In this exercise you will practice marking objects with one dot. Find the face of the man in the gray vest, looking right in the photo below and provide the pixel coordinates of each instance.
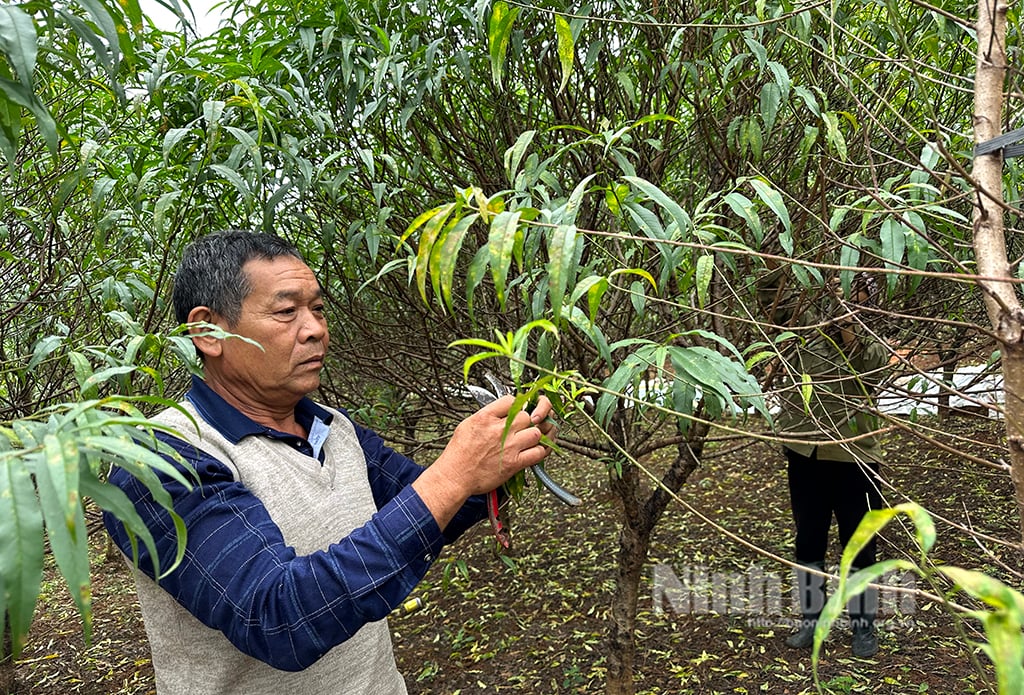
(284, 313)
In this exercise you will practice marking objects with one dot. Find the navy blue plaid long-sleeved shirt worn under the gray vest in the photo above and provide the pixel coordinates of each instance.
(331, 594)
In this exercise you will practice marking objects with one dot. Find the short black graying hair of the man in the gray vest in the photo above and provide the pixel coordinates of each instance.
(210, 273)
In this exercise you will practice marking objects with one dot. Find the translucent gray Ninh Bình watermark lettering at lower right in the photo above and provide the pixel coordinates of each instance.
(764, 598)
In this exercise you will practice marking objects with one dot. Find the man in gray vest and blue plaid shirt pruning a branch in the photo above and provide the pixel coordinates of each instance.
(305, 531)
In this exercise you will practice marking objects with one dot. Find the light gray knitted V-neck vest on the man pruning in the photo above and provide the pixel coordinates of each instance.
(315, 506)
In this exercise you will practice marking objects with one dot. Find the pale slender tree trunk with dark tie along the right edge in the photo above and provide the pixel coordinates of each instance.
(997, 284)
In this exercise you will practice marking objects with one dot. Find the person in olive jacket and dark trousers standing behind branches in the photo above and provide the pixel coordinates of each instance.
(833, 457)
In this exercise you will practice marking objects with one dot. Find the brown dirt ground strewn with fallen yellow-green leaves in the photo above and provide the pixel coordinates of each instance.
(536, 621)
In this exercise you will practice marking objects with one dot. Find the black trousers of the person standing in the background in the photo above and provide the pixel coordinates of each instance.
(820, 490)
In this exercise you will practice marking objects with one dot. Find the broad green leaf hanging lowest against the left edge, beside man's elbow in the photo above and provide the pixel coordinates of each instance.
(21, 548)
